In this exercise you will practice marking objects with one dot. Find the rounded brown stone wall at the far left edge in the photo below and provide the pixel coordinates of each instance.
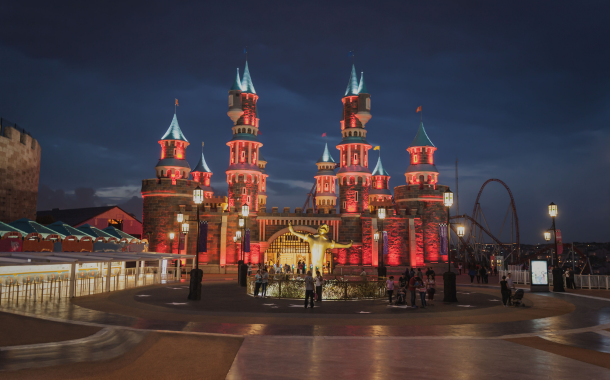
(19, 174)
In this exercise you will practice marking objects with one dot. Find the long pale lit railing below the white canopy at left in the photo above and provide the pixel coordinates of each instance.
(39, 289)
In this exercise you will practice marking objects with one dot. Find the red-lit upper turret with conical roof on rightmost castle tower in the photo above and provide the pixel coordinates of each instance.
(422, 170)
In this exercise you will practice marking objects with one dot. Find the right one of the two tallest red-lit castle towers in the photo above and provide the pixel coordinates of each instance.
(354, 174)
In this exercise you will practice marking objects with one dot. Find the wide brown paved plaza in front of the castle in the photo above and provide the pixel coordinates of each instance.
(155, 332)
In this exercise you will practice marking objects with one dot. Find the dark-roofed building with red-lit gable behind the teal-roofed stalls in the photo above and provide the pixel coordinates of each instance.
(99, 217)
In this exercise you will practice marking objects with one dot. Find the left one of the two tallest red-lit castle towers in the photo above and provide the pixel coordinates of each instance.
(244, 175)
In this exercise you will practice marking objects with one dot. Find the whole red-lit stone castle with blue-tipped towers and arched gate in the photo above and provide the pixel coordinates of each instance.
(413, 214)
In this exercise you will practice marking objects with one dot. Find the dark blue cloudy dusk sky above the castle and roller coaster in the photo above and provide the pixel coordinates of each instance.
(518, 91)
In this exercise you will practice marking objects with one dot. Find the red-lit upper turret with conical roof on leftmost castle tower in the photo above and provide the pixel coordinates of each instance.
(173, 148)
